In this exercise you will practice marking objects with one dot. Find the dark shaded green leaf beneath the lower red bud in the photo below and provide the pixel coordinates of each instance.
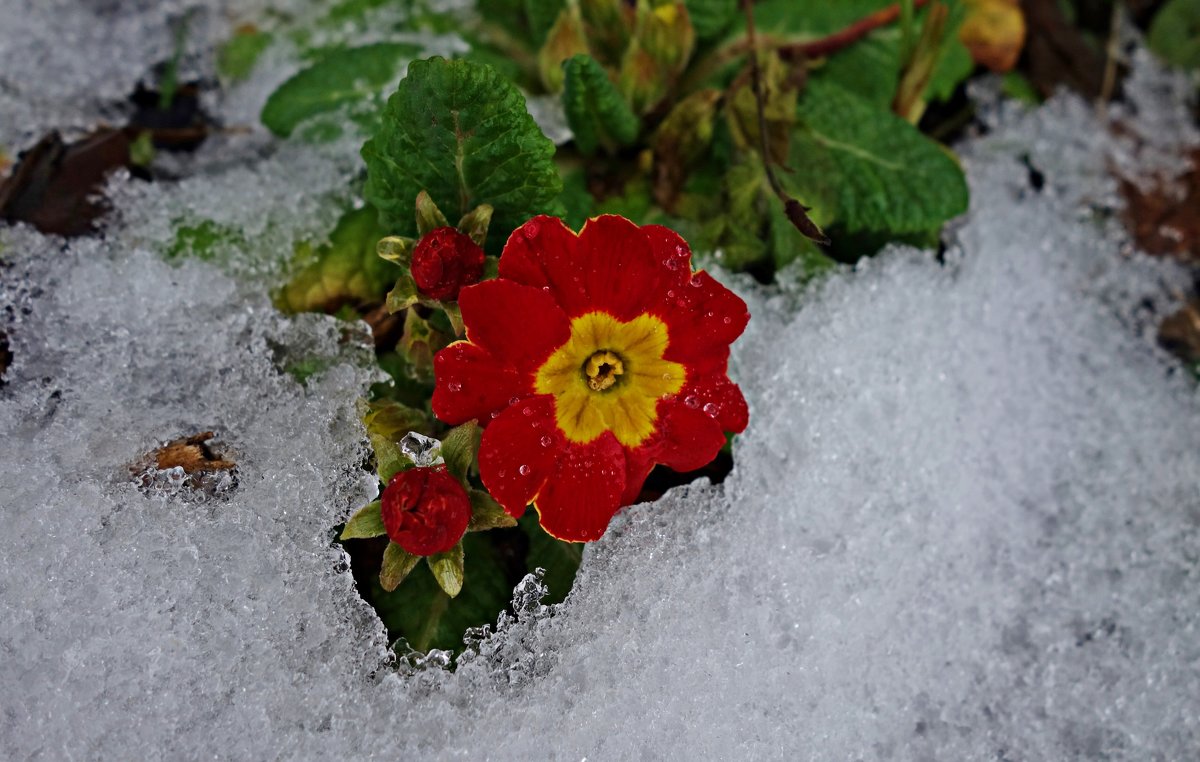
(421, 613)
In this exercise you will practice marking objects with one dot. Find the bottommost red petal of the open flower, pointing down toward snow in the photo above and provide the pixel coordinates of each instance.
(585, 493)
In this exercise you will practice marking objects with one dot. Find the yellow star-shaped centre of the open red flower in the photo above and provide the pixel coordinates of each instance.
(610, 376)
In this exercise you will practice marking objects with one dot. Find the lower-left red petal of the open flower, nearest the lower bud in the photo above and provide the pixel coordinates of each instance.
(519, 452)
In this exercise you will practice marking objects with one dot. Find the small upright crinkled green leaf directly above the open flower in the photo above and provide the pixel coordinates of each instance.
(596, 111)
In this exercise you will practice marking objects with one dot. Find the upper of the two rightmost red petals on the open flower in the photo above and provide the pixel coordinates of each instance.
(704, 319)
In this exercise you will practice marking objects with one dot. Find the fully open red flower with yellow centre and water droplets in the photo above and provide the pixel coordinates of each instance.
(592, 358)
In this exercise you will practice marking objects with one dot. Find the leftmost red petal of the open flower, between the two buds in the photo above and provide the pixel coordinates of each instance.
(471, 383)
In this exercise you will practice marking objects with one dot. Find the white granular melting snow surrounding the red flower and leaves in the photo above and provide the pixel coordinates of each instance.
(964, 523)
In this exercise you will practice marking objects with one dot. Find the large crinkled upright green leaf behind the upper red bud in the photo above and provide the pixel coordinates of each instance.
(460, 131)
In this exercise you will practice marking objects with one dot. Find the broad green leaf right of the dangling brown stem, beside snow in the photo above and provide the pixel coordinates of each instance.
(868, 170)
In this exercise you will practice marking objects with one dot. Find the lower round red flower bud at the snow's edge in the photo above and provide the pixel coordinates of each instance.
(425, 511)
